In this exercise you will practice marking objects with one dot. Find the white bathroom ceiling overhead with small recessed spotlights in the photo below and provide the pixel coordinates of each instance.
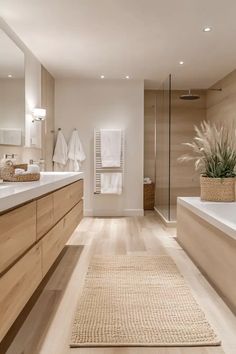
(141, 38)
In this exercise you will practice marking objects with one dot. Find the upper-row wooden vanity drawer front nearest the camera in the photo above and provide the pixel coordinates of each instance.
(17, 233)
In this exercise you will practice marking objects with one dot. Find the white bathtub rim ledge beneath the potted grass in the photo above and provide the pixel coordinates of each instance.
(220, 215)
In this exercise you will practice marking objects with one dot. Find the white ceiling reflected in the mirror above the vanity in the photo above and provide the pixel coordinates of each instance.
(11, 58)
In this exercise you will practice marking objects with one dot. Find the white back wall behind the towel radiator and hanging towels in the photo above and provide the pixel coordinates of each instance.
(90, 104)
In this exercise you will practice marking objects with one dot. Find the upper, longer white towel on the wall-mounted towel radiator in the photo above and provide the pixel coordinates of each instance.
(110, 147)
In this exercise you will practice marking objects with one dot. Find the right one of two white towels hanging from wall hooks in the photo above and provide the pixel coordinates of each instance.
(75, 152)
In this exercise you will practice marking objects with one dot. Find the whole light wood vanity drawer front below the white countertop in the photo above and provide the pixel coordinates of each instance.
(31, 238)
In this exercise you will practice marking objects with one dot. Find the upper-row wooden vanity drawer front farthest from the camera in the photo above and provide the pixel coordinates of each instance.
(64, 199)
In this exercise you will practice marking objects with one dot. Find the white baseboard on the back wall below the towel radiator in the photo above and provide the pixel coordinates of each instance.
(115, 213)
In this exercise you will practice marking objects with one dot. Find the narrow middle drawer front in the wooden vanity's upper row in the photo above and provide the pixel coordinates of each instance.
(44, 215)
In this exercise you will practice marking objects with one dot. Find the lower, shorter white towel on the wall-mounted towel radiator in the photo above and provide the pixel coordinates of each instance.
(111, 183)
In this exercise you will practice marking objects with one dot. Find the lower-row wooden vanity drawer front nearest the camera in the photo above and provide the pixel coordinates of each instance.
(17, 286)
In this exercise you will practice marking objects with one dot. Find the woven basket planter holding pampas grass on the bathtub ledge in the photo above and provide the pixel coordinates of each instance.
(217, 189)
